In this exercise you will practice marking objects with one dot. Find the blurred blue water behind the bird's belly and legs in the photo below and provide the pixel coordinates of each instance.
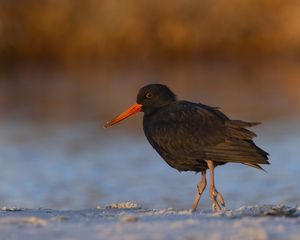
(83, 165)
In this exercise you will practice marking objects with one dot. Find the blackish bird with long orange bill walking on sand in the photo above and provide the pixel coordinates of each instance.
(194, 137)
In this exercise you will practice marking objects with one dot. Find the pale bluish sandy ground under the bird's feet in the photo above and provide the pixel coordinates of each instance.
(129, 221)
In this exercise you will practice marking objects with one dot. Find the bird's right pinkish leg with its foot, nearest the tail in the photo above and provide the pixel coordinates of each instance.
(214, 195)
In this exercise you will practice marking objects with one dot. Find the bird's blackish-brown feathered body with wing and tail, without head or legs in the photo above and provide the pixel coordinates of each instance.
(185, 134)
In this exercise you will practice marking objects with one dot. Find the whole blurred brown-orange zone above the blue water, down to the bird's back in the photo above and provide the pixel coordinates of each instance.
(75, 59)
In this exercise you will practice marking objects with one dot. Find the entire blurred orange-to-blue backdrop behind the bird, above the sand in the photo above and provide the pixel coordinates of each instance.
(66, 67)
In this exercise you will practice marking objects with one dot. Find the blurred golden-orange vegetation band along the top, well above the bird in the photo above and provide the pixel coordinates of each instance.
(111, 30)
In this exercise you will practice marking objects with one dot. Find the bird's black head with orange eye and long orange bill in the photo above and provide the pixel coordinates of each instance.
(149, 98)
